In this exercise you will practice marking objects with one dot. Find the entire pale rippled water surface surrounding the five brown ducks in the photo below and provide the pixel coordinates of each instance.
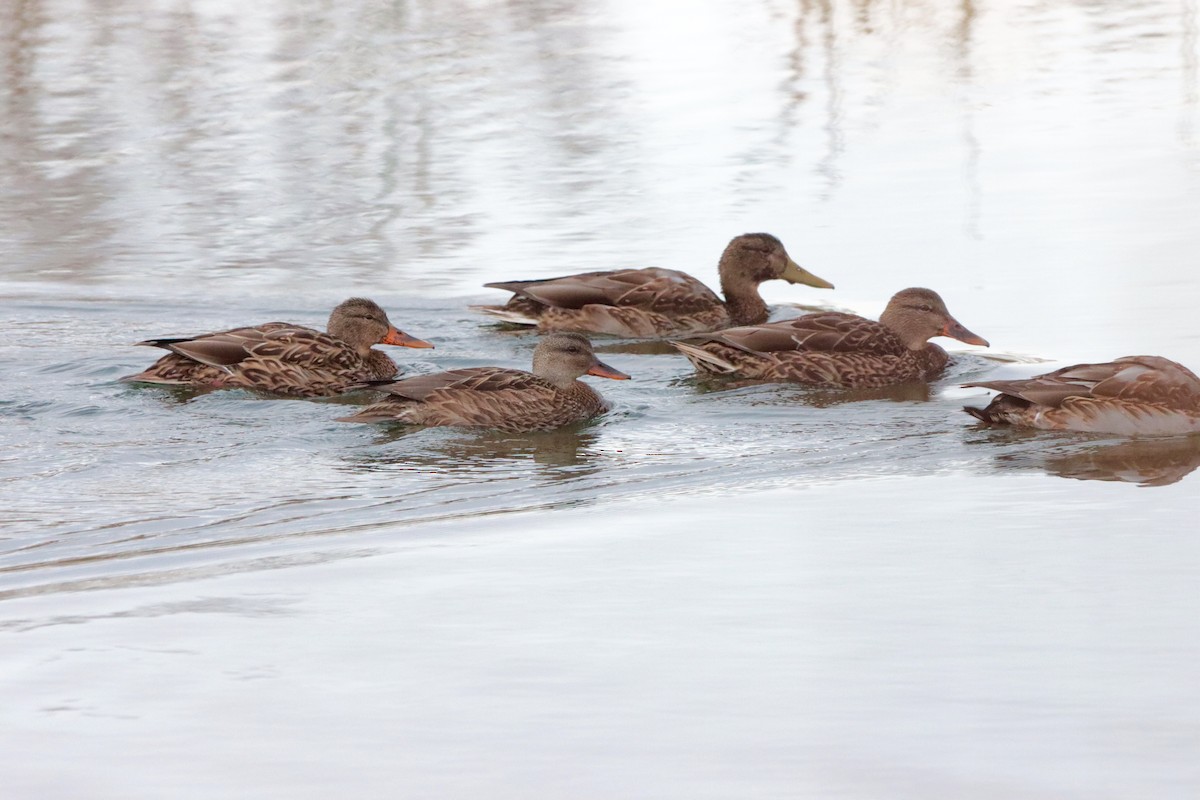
(712, 592)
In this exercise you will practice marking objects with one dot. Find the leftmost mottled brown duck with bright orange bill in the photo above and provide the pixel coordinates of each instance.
(283, 358)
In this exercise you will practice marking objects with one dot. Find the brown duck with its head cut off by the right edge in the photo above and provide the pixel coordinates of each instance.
(1135, 396)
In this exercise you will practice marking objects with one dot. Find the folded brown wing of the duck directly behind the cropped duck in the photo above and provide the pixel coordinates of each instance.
(824, 333)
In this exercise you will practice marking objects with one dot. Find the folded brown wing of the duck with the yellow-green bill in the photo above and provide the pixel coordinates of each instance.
(651, 288)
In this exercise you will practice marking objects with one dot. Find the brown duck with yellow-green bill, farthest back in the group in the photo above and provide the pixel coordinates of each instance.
(655, 303)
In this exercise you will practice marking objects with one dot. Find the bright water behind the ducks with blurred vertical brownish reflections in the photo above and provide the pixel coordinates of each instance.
(1034, 160)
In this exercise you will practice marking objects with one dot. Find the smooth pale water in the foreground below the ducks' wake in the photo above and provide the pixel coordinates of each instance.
(899, 649)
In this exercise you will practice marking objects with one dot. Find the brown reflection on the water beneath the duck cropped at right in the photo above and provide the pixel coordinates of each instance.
(1145, 462)
